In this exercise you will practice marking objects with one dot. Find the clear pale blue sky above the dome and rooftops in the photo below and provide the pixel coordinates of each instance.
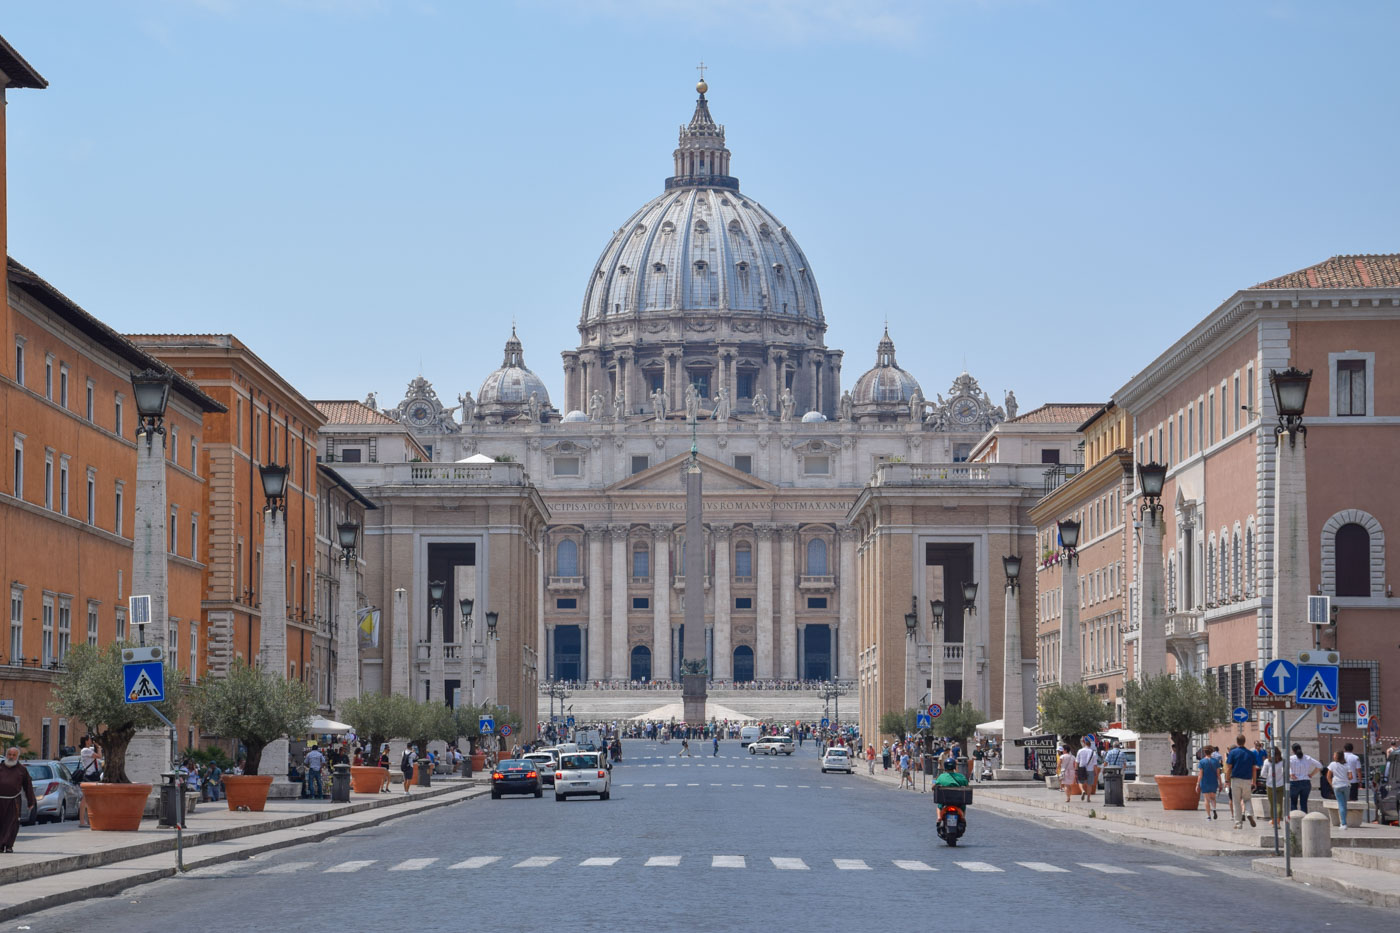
(360, 190)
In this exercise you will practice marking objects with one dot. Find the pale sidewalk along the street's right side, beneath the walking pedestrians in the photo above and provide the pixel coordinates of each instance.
(1366, 862)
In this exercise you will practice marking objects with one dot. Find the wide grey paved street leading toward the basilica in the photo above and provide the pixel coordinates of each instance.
(719, 844)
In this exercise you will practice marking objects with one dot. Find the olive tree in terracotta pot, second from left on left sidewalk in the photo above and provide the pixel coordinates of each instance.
(257, 708)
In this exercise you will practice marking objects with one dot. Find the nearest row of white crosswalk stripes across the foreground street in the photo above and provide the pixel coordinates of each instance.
(780, 864)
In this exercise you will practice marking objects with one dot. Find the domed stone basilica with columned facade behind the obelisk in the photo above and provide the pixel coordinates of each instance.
(702, 326)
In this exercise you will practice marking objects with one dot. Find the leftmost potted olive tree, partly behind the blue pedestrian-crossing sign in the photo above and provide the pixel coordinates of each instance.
(92, 691)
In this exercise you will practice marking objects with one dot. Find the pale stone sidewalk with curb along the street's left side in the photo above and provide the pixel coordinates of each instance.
(50, 869)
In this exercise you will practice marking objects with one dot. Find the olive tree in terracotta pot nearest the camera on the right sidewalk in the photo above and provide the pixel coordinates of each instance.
(1179, 707)
